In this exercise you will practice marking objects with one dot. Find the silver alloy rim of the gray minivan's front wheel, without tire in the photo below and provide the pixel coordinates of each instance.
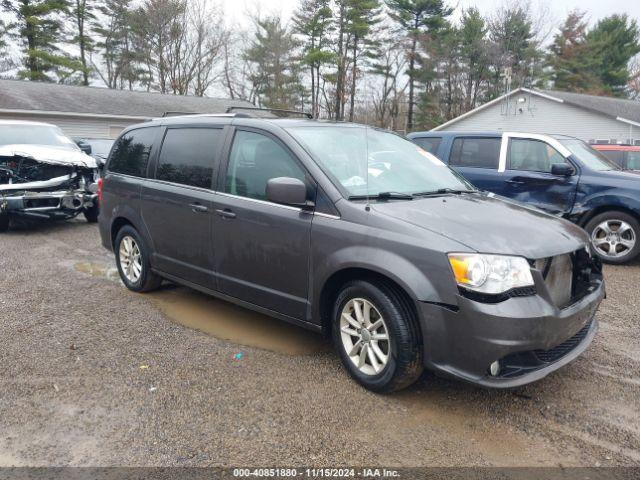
(365, 336)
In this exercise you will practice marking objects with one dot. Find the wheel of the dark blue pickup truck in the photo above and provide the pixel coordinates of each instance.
(615, 236)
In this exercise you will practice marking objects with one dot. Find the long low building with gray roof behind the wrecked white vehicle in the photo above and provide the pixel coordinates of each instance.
(92, 112)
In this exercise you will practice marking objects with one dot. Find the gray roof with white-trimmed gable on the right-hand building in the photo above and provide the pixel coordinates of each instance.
(627, 111)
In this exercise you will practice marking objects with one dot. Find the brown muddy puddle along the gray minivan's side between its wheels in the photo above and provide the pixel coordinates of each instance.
(235, 324)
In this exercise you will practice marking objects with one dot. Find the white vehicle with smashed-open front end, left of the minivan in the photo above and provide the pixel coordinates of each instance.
(44, 174)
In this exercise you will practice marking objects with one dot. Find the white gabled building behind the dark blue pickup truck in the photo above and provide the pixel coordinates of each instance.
(588, 117)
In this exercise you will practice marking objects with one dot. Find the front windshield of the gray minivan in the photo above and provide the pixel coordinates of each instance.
(376, 163)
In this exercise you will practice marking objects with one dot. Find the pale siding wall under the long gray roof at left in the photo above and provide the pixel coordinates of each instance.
(76, 127)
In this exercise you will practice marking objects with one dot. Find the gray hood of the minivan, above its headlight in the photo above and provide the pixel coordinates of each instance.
(489, 225)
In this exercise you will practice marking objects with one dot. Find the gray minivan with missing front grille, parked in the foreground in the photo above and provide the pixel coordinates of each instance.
(355, 232)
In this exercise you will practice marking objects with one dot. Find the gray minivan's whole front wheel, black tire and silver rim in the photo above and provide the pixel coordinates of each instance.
(377, 336)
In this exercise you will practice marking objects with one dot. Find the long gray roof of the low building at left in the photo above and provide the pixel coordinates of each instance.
(19, 95)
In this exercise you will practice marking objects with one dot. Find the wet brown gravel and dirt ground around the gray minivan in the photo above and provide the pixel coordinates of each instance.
(94, 375)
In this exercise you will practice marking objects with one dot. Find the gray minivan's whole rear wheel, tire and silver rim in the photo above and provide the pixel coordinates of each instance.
(132, 259)
